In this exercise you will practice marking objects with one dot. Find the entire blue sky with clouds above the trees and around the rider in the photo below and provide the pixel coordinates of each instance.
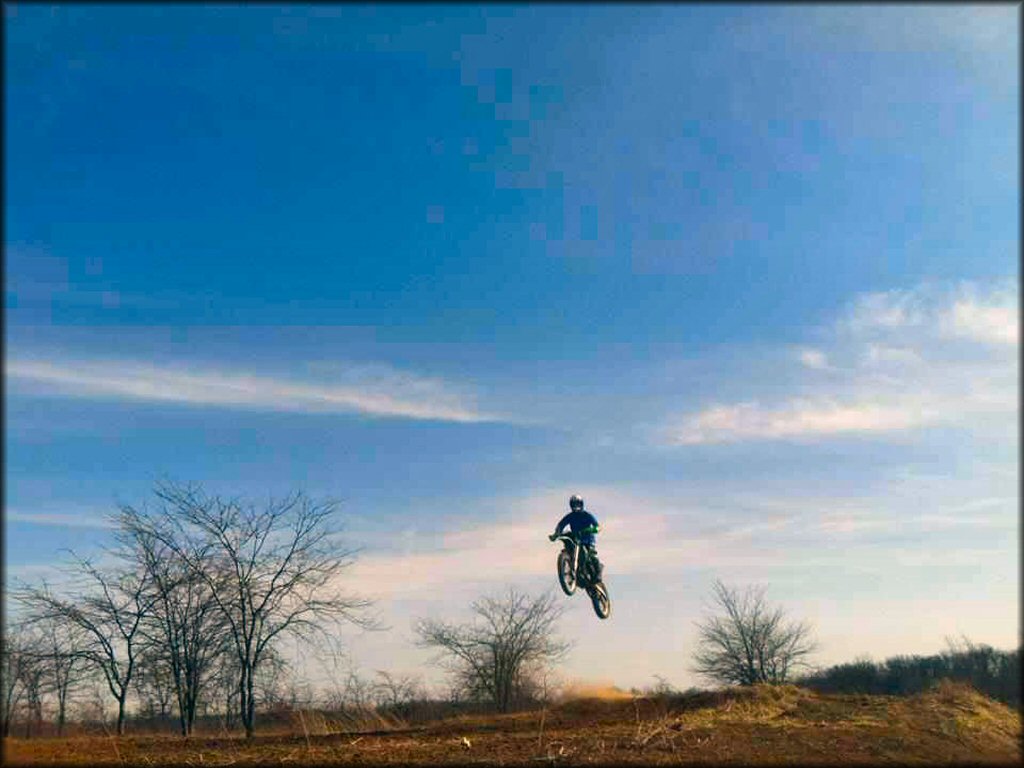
(746, 278)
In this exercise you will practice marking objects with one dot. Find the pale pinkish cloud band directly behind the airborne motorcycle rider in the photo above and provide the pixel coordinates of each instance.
(662, 535)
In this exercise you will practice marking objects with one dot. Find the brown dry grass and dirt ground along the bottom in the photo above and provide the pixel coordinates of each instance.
(950, 724)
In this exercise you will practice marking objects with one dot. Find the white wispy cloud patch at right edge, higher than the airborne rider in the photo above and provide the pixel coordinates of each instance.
(894, 361)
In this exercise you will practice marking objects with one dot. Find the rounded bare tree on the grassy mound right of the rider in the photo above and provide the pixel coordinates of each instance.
(751, 643)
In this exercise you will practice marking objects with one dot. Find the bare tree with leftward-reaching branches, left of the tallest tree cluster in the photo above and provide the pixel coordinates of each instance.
(108, 613)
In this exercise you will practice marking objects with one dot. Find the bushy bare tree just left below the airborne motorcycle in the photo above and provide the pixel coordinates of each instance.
(492, 657)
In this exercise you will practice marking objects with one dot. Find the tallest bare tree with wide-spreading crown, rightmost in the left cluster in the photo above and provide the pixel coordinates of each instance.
(271, 571)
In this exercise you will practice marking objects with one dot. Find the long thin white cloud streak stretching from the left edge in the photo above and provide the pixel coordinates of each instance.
(387, 394)
